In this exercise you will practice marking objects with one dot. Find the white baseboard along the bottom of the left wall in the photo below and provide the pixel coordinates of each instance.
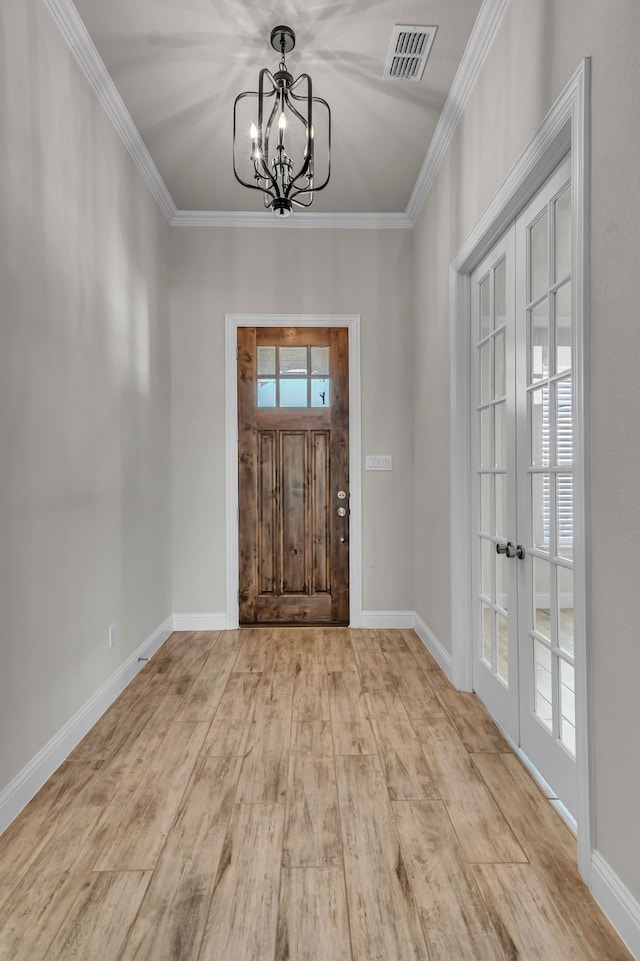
(17, 794)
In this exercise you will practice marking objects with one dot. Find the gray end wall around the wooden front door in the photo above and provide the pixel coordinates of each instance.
(288, 270)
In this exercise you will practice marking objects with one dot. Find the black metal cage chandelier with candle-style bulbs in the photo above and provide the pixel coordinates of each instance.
(275, 151)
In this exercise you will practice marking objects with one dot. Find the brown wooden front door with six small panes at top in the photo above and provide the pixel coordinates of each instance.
(293, 475)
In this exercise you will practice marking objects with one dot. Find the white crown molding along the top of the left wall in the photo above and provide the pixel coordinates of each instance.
(84, 50)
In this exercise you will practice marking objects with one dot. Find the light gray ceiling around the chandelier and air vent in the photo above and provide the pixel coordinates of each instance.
(179, 64)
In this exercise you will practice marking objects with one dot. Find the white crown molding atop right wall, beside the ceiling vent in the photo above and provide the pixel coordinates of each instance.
(484, 30)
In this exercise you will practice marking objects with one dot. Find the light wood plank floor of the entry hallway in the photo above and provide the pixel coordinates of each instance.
(294, 795)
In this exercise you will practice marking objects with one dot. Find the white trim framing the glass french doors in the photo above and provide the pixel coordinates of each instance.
(566, 127)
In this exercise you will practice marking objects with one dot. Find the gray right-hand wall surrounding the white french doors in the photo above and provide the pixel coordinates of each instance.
(536, 51)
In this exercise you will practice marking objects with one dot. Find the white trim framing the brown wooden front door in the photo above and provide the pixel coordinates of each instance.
(352, 323)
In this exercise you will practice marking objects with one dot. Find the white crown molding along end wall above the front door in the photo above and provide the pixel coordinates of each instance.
(243, 218)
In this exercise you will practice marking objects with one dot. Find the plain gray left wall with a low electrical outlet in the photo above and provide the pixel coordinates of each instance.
(84, 392)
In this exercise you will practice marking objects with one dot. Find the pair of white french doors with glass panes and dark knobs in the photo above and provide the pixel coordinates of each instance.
(522, 500)
